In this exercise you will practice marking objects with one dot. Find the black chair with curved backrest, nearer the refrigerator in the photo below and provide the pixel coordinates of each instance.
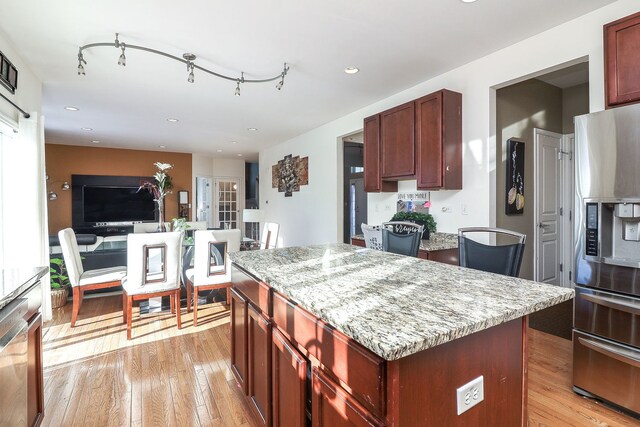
(500, 259)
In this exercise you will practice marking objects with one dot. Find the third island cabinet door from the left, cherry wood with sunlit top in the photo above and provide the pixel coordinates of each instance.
(289, 383)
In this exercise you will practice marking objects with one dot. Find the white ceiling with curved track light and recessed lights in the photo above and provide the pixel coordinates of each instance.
(395, 44)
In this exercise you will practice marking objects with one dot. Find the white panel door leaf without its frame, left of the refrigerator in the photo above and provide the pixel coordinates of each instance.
(547, 204)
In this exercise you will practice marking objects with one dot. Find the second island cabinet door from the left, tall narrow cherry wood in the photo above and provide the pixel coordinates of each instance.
(259, 363)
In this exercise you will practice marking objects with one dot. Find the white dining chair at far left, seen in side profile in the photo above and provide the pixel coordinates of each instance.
(80, 279)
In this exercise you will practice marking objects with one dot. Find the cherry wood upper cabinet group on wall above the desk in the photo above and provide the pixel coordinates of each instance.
(420, 140)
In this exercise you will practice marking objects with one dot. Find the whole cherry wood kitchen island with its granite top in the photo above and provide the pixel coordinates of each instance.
(379, 339)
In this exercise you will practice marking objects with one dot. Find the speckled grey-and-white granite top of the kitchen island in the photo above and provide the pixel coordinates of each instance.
(391, 304)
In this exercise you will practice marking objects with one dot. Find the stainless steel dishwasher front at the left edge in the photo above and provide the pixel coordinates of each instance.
(13, 364)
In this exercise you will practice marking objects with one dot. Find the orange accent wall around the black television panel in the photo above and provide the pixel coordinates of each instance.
(62, 161)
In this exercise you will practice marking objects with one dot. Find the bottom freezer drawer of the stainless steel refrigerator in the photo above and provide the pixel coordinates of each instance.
(607, 369)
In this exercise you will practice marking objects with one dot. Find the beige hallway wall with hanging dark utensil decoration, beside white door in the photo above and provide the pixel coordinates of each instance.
(520, 108)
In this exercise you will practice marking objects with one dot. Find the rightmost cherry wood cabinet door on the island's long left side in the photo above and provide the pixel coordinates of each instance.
(332, 406)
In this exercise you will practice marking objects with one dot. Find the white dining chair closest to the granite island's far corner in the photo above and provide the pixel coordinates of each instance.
(211, 265)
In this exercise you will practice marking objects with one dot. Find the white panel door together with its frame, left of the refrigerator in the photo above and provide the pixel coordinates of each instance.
(553, 199)
